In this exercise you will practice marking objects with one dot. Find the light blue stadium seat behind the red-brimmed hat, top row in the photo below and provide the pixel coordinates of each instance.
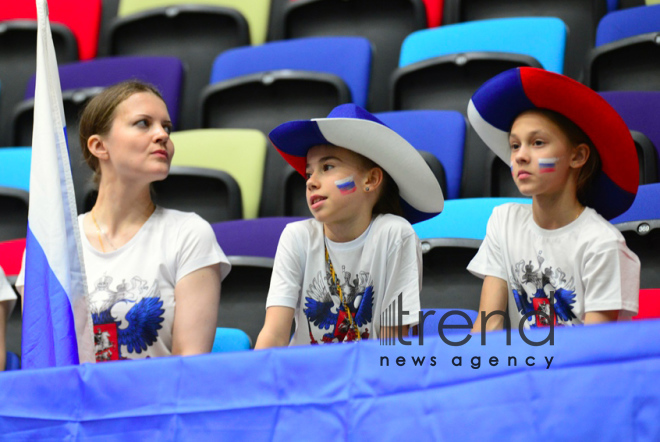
(441, 68)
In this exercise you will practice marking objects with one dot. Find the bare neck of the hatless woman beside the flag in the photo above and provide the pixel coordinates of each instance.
(120, 205)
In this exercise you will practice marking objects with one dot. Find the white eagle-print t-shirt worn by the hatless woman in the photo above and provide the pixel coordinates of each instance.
(131, 289)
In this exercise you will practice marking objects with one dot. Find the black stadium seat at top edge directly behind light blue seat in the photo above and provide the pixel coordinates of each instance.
(580, 16)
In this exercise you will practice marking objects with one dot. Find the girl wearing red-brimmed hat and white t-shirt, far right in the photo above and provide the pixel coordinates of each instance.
(557, 260)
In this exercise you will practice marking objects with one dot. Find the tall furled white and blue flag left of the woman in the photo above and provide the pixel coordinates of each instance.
(56, 320)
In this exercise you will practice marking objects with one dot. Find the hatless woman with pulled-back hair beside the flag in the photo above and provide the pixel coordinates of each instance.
(153, 274)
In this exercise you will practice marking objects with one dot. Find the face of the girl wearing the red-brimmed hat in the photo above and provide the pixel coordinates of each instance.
(542, 156)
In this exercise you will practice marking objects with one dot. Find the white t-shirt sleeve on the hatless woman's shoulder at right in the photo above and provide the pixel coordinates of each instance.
(197, 247)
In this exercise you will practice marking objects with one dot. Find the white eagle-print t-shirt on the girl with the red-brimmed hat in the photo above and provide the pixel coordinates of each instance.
(585, 263)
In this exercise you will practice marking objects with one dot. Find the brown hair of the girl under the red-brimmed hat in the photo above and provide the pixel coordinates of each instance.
(576, 136)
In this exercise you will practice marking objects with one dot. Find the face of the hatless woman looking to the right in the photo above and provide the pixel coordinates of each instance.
(138, 145)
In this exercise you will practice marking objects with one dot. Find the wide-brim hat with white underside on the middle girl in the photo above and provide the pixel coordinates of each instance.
(353, 128)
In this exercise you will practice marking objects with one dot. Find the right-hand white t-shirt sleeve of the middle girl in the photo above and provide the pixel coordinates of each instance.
(404, 276)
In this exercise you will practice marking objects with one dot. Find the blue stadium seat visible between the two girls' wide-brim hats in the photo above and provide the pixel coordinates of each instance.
(441, 133)
